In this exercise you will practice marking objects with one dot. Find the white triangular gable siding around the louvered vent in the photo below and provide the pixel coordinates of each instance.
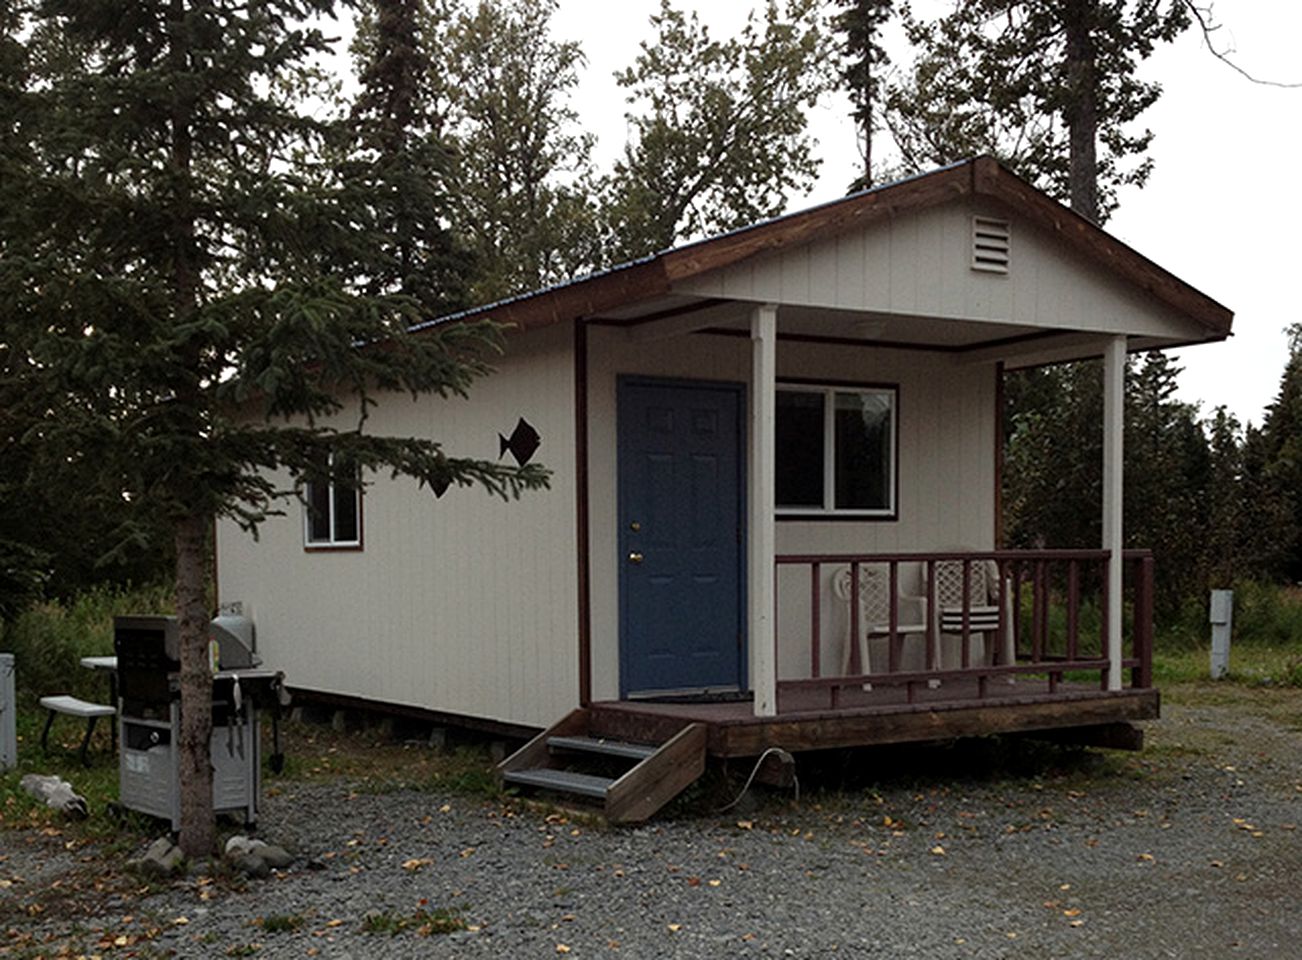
(919, 265)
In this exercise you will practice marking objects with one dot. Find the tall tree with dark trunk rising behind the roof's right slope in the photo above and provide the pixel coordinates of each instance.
(1050, 87)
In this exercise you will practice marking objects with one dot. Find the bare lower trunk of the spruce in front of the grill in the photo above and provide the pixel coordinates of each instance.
(199, 821)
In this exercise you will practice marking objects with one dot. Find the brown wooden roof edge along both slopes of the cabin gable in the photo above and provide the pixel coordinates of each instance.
(659, 287)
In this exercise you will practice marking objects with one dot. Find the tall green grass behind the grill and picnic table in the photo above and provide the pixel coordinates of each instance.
(49, 640)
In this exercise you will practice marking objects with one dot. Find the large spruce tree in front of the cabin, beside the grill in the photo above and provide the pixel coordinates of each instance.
(176, 300)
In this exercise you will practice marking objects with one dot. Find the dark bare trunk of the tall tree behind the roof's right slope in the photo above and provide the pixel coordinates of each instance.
(1083, 110)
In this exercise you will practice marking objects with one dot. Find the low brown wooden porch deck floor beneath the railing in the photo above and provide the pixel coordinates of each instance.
(881, 716)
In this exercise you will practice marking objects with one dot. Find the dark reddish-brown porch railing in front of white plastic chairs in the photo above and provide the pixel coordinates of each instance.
(1051, 605)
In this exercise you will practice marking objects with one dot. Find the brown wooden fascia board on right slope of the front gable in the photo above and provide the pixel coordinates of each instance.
(1077, 233)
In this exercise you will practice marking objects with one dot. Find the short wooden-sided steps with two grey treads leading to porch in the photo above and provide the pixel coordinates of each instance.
(567, 760)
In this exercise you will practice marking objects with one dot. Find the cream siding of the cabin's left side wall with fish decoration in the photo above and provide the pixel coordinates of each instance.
(465, 605)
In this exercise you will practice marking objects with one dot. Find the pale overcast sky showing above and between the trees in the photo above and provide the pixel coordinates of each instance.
(1221, 212)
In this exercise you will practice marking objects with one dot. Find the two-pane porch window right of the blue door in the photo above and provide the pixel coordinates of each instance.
(837, 451)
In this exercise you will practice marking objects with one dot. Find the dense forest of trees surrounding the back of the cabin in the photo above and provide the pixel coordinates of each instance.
(469, 111)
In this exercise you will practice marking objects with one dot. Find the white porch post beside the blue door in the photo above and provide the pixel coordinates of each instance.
(761, 540)
